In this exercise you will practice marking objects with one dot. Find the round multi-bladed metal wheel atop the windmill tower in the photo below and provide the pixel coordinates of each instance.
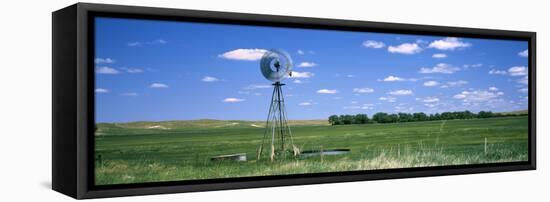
(276, 65)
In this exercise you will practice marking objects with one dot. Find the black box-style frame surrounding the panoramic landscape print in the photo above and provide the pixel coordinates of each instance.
(73, 100)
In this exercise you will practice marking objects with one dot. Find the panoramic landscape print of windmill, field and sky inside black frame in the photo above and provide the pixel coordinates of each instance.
(180, 101)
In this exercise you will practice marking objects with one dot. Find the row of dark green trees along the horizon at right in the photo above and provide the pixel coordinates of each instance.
(382, 117)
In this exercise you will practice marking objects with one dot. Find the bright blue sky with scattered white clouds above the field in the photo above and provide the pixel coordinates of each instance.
(158, 70)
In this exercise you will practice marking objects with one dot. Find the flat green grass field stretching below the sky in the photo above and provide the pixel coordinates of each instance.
(181, 150)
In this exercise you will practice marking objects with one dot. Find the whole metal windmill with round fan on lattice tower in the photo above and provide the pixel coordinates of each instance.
(276, 65)
